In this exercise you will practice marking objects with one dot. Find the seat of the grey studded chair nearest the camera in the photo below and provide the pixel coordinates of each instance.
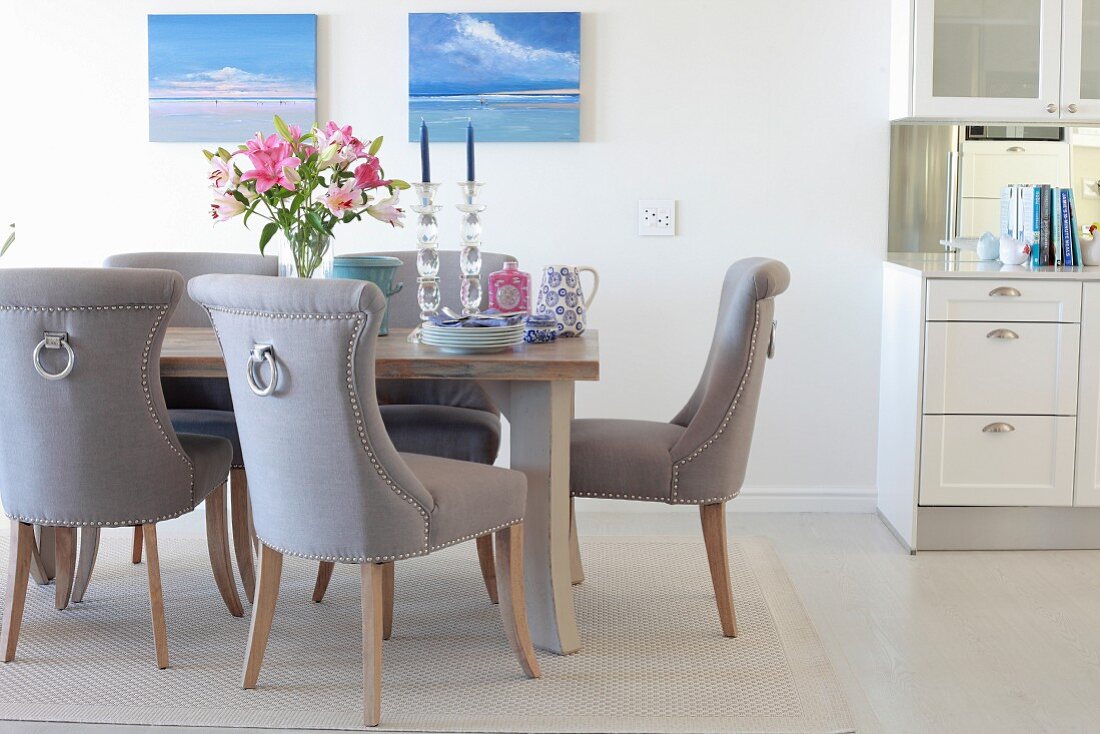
(471, 499)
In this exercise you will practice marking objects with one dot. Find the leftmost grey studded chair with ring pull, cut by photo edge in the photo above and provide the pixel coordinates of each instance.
(85, 439)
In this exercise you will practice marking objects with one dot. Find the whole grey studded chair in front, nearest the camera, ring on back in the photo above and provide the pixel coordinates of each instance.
(326, 481)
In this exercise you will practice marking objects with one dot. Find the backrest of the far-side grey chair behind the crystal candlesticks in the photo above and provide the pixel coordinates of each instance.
(405, 314)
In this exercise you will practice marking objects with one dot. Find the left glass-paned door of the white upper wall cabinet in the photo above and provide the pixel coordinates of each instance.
(987, 59)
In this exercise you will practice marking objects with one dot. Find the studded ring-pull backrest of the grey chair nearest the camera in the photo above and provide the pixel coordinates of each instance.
(325, 479)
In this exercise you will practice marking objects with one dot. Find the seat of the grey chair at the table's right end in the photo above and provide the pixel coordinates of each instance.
(622, 459)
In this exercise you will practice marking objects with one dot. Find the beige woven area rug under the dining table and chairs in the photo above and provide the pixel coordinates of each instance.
(653, 661)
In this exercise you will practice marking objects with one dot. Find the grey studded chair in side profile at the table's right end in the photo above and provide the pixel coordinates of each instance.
(700, 457)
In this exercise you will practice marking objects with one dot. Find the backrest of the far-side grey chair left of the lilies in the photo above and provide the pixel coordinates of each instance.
(193, 265)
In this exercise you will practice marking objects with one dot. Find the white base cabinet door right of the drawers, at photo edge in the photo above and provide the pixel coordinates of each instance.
(1088, 408)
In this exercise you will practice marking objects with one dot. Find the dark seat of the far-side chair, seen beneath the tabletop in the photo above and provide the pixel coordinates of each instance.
(444, 431)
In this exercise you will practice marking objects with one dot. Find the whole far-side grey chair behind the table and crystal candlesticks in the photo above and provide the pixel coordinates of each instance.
(448, 419)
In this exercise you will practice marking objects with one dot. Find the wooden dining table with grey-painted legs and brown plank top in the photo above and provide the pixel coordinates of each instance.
(533, 386)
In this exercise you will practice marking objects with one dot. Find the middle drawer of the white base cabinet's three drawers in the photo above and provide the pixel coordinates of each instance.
(992, 368)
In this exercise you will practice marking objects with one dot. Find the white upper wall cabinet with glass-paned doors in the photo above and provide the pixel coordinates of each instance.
(1027, 61)
